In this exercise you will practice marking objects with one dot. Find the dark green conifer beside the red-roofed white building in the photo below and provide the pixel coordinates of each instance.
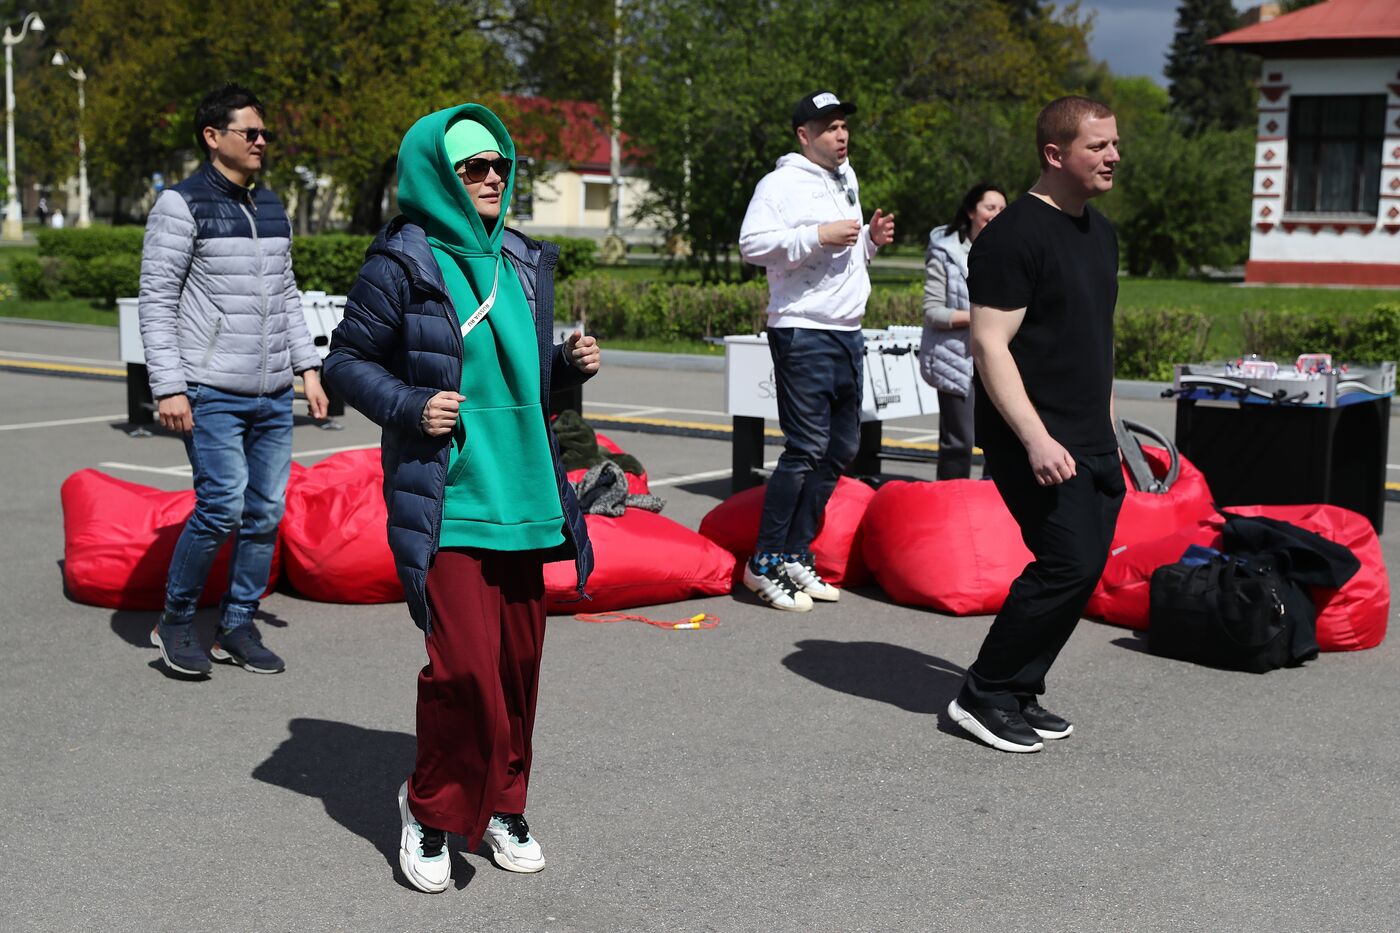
(1212, 88)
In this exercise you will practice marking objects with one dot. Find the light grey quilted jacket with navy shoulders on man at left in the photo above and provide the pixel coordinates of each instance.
(219, 300)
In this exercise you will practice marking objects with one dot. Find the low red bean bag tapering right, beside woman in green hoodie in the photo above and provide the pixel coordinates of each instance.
(640, 560)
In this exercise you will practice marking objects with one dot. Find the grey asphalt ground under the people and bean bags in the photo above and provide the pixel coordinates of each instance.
(778, 773)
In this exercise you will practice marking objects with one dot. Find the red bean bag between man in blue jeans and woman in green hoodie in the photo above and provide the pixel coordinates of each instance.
(335, 533)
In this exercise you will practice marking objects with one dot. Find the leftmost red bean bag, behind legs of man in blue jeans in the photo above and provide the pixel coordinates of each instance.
(118, 541)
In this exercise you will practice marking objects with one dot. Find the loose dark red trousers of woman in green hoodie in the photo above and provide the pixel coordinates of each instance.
(477, 694)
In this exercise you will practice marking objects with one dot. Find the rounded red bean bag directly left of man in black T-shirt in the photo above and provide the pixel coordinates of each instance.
(950, 546)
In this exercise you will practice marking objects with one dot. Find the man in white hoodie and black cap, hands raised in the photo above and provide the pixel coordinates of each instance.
(804, 228)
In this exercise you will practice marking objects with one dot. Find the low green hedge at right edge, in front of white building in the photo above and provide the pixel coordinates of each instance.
(1354, 337)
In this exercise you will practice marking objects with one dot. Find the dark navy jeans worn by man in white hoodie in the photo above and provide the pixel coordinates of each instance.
(818, 376)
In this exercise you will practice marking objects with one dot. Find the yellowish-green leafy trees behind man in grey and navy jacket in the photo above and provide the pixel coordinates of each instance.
(342, 81)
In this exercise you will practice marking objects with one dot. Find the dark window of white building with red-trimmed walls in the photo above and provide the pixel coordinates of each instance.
(1335, 149)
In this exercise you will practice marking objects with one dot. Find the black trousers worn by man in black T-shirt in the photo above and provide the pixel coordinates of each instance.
(1069, 530)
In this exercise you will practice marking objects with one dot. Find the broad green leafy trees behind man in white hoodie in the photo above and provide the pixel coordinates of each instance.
(710, 86)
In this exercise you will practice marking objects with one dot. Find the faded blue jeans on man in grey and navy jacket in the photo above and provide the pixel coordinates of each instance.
(241, 455)
